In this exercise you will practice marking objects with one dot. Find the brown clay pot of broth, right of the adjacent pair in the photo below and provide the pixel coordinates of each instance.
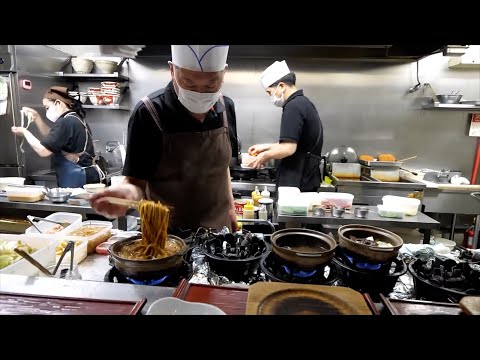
(372, 253)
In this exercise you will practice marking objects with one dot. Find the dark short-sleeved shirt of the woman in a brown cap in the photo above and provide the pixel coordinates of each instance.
(68, 134)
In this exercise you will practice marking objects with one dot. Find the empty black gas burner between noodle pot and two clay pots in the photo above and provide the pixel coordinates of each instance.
(235, 265)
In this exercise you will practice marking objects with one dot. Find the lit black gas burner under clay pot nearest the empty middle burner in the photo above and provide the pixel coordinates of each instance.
(277, 270)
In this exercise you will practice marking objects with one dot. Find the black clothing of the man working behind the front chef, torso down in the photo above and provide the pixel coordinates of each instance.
(302, 125)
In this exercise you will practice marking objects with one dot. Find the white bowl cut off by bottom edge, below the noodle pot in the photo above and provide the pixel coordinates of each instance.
(174, 306)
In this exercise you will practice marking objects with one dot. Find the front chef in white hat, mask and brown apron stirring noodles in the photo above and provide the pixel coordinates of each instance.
(180, 142)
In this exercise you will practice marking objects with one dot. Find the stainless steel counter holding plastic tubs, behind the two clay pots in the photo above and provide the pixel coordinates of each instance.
(420, 221)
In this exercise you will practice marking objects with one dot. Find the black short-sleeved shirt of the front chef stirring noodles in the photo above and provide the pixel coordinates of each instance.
(144, 136)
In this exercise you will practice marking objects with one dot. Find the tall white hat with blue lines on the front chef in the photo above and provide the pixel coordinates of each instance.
(207, 58)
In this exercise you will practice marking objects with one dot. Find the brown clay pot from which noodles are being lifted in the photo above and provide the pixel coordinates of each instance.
(146, 269)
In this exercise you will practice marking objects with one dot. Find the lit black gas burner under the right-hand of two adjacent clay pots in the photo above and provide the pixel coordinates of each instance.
(372, 282)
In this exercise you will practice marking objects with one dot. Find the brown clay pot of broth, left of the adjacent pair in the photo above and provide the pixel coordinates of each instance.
(305, 248)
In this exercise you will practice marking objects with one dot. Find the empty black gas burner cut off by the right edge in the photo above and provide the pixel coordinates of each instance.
(444, 280)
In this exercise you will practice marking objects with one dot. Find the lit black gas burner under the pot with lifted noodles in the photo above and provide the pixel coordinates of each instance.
(172, 279)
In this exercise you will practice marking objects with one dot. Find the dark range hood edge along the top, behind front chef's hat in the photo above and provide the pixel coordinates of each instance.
(399, 52)
